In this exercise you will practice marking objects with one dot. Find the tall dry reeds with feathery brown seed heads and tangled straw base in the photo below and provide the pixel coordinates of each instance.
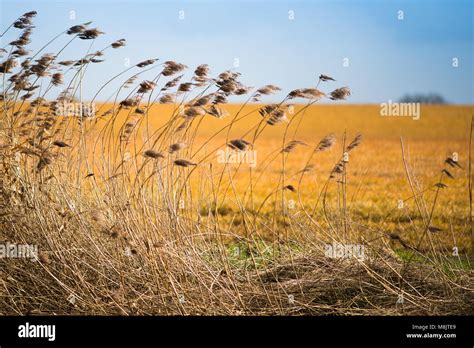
(119, 226)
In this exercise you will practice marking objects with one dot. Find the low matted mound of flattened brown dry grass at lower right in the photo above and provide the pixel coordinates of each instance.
(322, 286)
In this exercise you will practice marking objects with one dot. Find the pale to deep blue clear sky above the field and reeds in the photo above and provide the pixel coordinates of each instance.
(387, 57)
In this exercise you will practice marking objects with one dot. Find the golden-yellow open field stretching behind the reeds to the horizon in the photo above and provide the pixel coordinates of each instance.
(376, 175)
